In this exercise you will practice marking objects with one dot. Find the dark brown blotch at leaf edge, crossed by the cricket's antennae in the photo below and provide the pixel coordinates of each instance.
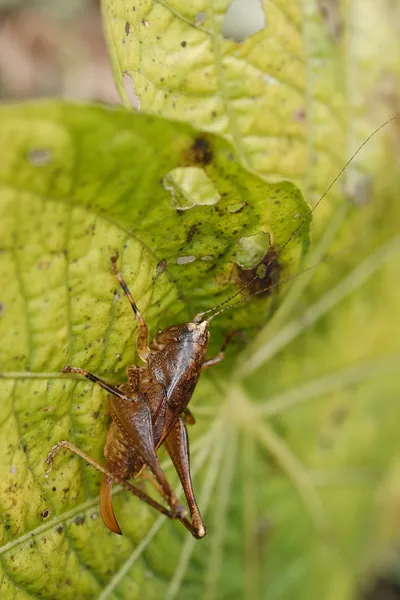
(268, 277)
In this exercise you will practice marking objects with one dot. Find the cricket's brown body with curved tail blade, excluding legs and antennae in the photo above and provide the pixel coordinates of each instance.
(163, 389)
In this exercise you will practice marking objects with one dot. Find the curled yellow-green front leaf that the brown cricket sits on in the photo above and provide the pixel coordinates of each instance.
(77, 183)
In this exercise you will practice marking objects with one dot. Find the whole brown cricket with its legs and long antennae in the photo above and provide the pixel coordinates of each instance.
(151, 409)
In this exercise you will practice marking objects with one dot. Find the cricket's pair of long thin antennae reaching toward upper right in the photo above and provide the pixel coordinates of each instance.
(200, 316)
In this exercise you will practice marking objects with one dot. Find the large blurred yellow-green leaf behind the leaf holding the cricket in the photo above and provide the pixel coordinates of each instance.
(311, 504)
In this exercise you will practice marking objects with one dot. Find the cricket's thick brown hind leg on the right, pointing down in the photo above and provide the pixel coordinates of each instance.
(177, 445)
